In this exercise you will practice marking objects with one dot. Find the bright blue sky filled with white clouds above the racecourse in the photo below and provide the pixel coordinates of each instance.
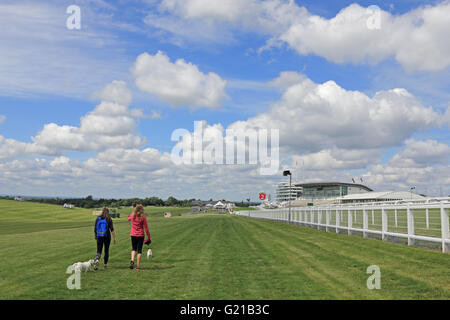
(92, 92)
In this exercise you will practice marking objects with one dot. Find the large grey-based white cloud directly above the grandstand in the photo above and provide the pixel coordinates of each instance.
(313, 117)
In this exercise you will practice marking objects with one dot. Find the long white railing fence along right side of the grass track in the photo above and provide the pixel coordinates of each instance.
(416, 222)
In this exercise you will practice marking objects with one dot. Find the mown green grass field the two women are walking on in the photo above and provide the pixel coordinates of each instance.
(207, 257)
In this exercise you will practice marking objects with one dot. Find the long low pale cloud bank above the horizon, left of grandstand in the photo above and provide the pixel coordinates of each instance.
(128, 173)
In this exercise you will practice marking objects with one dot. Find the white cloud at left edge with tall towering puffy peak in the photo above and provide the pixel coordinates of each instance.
(109, 125)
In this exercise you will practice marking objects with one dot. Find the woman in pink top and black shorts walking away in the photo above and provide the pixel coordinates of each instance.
(138, 225)
